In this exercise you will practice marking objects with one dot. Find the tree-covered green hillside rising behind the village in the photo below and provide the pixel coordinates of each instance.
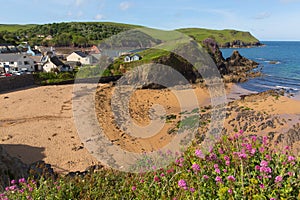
(79, 34)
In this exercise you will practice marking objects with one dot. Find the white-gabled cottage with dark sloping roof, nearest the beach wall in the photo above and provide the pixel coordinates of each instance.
(53, 64)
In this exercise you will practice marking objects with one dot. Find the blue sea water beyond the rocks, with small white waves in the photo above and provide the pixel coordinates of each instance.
(284, 74)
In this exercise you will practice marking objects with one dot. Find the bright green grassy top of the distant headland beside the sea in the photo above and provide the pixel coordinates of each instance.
(221, 36)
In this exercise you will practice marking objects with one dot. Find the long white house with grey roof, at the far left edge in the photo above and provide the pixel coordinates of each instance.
(16, 62)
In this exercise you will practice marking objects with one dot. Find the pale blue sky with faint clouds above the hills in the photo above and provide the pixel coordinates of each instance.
(265, 19)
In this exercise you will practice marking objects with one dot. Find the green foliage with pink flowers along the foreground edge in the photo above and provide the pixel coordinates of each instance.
(237, 167)
